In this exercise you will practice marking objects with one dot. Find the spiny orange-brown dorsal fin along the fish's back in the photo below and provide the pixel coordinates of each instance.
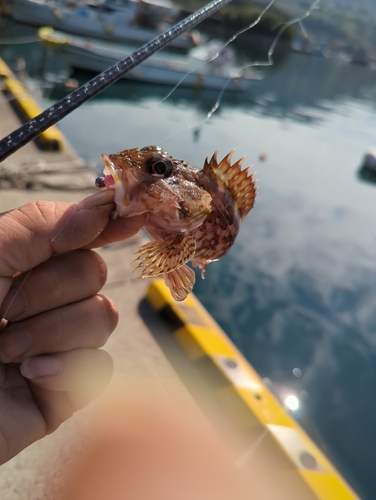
(241, 185)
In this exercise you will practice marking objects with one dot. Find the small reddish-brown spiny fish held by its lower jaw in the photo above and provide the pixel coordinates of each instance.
(193, 215)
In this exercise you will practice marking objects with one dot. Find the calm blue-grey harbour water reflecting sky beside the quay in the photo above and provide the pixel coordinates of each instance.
(297, 292)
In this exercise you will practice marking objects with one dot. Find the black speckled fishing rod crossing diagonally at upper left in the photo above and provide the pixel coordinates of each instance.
(34, 127)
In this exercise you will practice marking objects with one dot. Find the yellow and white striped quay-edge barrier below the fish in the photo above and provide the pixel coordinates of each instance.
(200, 336)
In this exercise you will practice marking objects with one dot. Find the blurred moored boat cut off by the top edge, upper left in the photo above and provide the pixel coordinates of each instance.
(130, 21)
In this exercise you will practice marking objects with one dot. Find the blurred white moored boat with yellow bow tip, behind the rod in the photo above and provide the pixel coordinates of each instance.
(192, 70)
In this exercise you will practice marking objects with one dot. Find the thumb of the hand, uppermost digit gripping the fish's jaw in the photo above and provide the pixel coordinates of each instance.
(38, 230)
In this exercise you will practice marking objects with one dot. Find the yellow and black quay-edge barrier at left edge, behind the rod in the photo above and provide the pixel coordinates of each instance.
(51, 139)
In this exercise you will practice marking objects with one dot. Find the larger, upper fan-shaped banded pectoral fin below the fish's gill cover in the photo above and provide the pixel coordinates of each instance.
(161, 257)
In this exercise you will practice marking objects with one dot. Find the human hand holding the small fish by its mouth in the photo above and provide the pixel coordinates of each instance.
(50, 361)
